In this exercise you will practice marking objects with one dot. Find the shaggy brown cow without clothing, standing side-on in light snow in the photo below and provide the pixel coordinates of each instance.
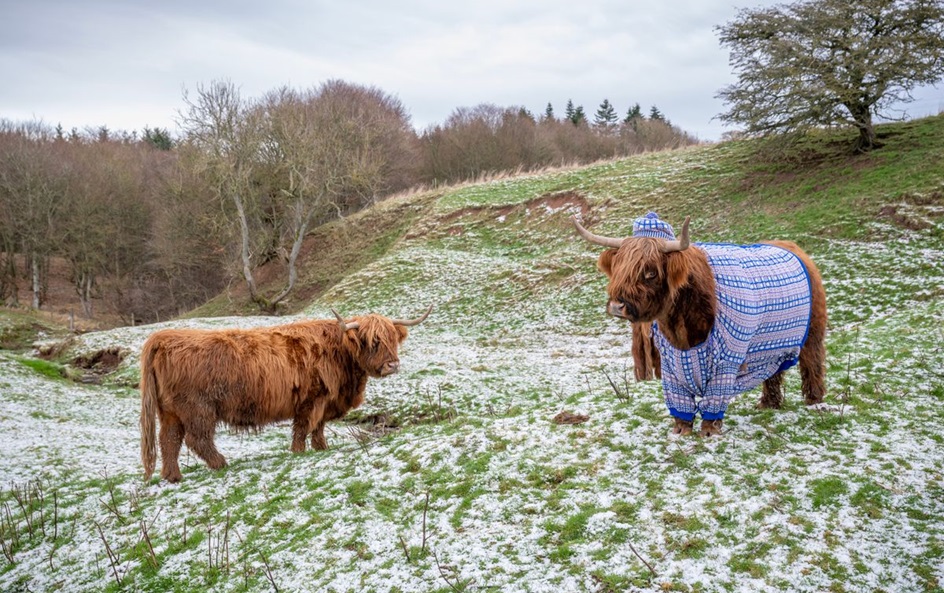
(310, 371)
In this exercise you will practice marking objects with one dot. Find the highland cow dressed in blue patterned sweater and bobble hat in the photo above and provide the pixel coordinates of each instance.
(726, 318)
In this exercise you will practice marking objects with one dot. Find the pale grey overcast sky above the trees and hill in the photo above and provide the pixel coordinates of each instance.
(126, 63)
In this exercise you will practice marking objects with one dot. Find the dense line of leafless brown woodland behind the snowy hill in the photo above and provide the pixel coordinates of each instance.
(150, 225)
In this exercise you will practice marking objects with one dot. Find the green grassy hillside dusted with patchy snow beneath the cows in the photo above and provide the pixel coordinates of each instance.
(453, 476)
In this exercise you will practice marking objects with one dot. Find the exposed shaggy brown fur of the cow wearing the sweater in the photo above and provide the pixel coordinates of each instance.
(677, 289)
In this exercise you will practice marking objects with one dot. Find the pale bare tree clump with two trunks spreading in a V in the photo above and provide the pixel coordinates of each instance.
(296, 157)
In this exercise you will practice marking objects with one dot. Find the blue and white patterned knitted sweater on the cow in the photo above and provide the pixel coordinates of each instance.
(761, 322)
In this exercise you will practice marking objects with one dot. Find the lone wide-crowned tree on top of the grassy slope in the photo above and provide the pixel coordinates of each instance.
(827, 62)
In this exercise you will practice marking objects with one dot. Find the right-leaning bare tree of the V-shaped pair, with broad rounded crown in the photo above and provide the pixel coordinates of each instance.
(333, 149)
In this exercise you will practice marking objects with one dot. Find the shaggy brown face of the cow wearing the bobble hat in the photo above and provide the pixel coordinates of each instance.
(642, 278)
